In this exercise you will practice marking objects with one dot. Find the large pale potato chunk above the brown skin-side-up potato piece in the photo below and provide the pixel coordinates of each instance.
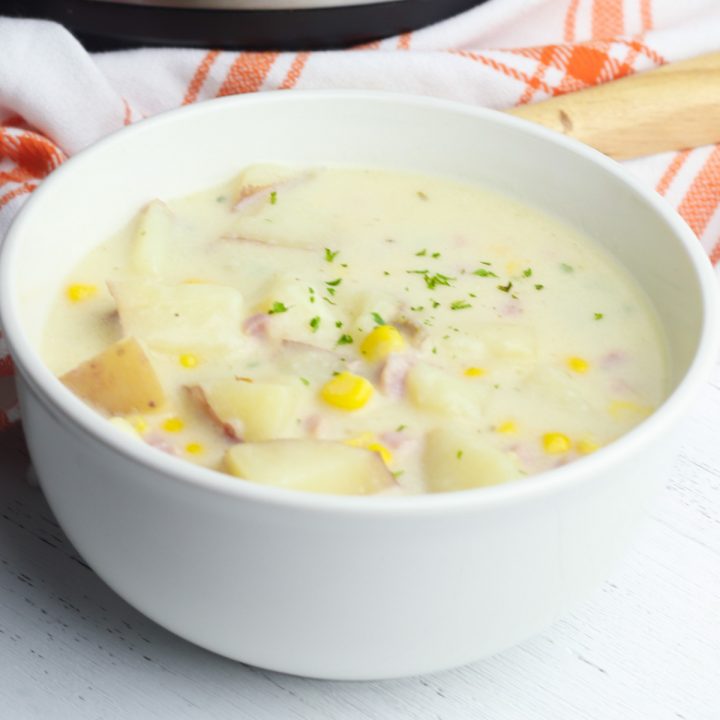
(201, 318)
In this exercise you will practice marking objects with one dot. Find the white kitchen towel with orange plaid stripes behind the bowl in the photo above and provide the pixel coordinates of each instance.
(56, 99)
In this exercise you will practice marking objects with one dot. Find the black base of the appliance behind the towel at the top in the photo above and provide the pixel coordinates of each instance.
(237, 24)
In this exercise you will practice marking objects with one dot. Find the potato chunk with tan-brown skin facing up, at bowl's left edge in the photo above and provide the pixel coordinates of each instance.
(119, 380)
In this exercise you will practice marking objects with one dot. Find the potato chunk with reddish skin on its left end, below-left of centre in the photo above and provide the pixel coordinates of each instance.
(251, 411)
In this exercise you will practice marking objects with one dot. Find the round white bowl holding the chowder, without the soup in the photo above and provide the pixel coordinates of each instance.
(338, 587)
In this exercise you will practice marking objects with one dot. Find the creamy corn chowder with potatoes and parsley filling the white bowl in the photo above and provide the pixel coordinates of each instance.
(358, 331)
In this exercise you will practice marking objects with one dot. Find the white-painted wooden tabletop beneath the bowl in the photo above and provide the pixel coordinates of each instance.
(645, 647)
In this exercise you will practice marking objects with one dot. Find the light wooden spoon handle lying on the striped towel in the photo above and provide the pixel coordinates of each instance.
(672, 107)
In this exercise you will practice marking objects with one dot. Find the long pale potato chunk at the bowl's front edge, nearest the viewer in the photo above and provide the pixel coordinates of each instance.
(317, 466)
